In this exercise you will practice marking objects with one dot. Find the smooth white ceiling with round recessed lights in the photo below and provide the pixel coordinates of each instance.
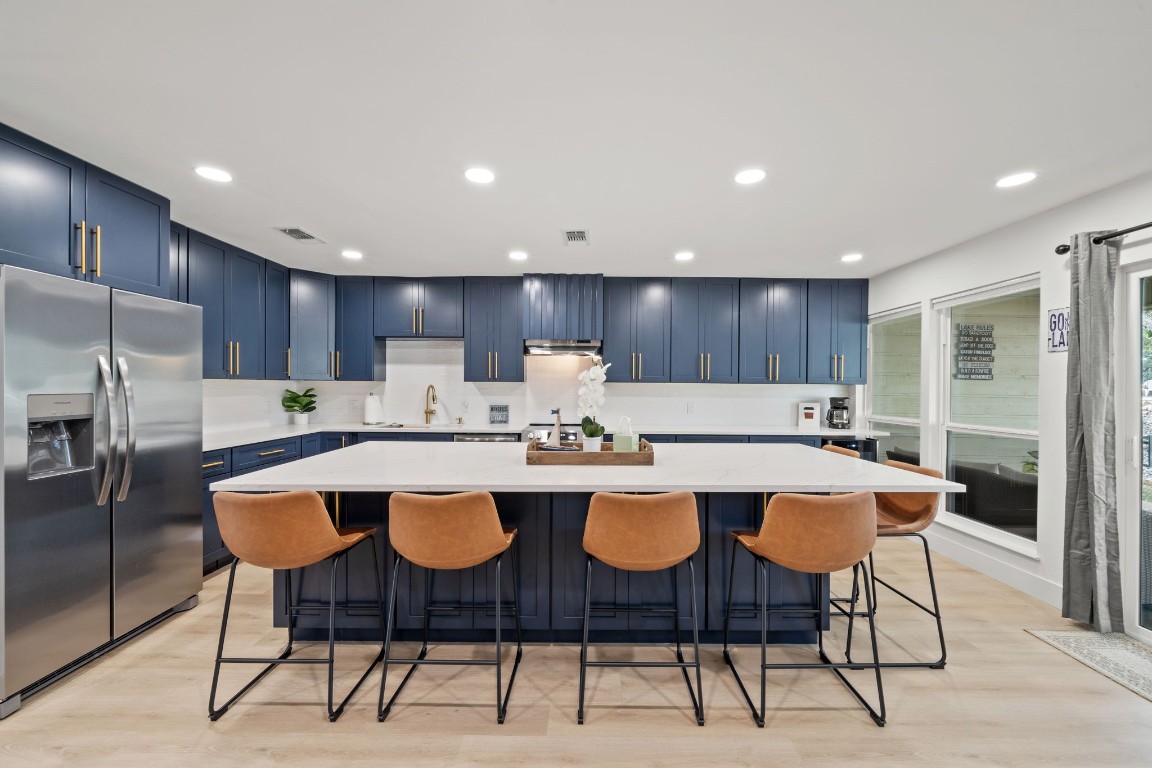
(883, 125)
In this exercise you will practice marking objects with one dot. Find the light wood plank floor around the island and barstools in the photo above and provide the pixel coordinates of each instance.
(1005, 699)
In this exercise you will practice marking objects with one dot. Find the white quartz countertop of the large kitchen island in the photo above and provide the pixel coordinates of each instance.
(448, 467)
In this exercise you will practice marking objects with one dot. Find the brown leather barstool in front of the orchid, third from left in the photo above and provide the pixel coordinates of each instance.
(645, 534)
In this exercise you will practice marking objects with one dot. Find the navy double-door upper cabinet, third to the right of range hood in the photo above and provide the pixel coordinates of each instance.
(774, 331)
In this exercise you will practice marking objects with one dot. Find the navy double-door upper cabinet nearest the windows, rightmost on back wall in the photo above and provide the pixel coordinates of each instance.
(838, 331)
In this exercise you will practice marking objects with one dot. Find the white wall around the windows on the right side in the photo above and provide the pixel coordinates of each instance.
(1022, 249)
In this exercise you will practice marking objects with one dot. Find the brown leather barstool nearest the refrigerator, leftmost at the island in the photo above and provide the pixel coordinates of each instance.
(286, 531)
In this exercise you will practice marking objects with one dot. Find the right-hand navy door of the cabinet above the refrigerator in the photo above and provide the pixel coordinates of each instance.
(130, 231)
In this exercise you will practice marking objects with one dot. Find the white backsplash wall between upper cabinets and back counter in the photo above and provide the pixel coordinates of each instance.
(549, 383)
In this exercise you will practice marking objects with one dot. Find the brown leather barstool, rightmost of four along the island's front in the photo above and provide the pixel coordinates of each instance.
(818, 536)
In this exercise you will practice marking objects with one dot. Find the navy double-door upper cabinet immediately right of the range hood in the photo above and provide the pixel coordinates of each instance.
(636, 329)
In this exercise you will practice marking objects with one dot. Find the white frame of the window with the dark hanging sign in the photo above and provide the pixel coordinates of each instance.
(945, 427)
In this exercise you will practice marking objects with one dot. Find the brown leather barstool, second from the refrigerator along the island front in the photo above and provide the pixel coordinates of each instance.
(450, 533)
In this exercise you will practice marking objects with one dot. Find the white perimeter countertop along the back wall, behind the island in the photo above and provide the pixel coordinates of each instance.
(216, 439)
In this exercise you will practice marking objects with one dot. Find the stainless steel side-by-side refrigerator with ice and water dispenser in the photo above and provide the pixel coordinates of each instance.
(102, 419)
